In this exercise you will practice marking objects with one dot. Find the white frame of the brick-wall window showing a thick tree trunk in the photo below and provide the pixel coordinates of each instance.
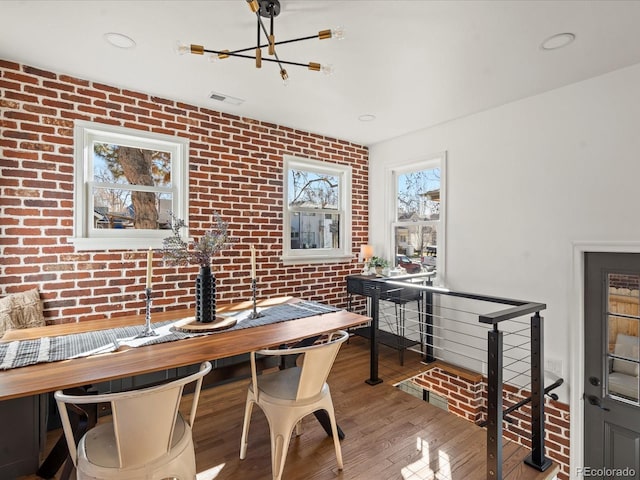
(86, 237)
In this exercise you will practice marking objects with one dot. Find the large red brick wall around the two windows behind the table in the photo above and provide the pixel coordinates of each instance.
(235, 167)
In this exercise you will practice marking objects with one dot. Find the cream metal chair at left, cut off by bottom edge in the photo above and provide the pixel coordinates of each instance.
(147, 437)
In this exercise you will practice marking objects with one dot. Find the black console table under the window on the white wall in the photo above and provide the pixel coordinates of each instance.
(363, 285)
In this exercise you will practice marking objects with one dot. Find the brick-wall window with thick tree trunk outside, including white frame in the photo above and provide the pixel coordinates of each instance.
(126, 183)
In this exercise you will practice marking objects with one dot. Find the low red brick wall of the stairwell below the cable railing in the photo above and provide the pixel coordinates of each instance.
(468, 399)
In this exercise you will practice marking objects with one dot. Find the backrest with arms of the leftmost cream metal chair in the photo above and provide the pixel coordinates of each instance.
(143, 419)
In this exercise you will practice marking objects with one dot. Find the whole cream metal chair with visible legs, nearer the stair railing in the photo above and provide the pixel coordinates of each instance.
(287, 396)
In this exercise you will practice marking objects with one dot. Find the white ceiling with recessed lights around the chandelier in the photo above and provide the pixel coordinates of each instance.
(412, 64)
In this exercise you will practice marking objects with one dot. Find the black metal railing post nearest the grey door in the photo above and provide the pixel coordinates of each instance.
(537, 459)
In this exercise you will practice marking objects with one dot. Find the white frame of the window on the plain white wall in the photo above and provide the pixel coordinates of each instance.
(434, 161)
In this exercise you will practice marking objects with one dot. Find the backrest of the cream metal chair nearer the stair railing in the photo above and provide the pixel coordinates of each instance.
(316, 364)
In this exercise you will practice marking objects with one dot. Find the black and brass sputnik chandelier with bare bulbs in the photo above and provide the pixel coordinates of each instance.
(268, 9)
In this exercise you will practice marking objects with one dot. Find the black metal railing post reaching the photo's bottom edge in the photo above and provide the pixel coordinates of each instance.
(494, 407)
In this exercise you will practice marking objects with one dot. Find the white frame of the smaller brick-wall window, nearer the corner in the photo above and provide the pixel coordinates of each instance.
(318, 255)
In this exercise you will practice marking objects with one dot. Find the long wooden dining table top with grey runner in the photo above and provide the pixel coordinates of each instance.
(128, 362)
